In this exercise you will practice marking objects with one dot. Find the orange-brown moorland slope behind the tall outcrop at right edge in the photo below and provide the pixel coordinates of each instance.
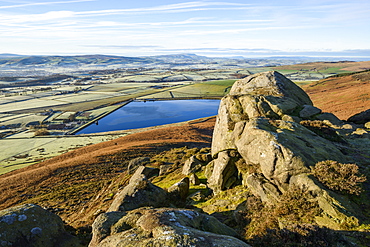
(342, 95)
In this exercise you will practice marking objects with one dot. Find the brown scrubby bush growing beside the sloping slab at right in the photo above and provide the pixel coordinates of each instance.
(339, 177)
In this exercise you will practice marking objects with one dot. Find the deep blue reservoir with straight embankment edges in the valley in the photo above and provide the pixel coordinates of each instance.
(140, 114)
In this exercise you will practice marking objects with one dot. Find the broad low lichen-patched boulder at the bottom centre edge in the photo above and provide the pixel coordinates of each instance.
(162, 227)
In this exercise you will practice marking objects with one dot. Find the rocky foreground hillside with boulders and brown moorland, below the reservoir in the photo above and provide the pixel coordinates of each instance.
(280, 171)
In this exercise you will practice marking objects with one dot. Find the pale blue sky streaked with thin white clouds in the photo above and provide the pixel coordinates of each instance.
(251, 28)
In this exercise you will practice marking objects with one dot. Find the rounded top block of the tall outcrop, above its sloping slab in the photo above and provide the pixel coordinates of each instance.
(267, 94)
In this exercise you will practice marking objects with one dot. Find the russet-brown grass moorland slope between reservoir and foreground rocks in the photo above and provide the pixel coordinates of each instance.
(71, 182)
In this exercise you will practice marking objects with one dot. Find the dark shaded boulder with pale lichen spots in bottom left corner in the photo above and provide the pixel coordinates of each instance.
(30, 225)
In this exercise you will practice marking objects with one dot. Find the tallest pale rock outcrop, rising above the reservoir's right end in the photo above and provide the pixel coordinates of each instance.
(259, 120)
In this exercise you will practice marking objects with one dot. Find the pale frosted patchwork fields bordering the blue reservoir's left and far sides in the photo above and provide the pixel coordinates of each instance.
(63, 110)
